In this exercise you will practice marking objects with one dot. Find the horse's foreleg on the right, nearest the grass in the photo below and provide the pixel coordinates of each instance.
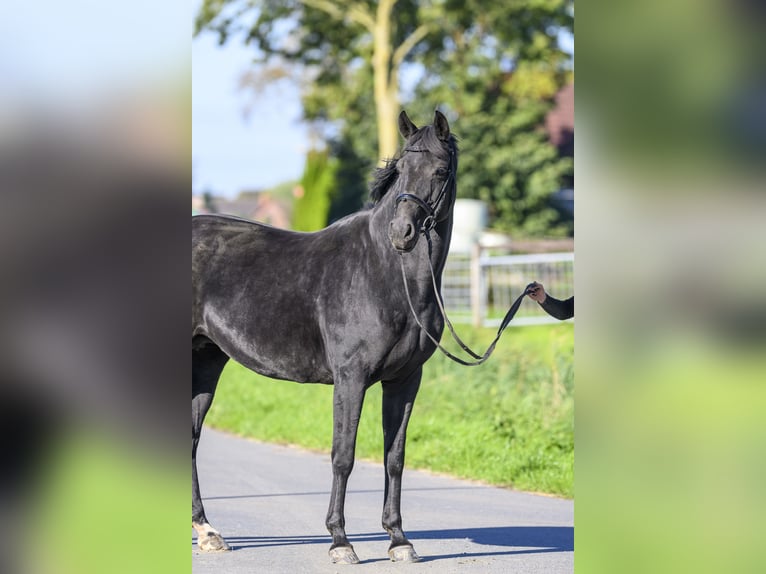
(398, 398)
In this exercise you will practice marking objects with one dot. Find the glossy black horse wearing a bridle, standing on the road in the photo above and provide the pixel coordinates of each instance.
(330, 307)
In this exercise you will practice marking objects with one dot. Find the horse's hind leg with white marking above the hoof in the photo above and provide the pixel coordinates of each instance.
(207, 363)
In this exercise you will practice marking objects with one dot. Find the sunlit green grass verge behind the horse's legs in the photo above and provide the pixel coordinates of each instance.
(509, 422)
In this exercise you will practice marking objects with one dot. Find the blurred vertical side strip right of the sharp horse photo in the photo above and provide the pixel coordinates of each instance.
(670, 395)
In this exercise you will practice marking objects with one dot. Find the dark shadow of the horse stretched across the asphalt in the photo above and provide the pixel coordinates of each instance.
(523, 540)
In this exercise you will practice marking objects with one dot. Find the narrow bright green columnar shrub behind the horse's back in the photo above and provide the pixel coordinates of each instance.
(311, 209)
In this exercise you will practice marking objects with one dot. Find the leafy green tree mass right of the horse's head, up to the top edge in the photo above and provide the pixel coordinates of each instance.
(499, 72)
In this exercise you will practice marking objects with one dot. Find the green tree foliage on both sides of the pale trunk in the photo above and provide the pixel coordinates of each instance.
(493, 67)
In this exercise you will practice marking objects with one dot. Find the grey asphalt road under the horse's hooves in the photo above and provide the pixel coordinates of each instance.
(269, 502)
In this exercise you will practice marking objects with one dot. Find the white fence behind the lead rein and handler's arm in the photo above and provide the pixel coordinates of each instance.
(479, 288)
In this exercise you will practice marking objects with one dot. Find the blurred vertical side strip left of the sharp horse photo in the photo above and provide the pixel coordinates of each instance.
(95, 168)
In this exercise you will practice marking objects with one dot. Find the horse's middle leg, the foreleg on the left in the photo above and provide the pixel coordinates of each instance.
(348, 396)
